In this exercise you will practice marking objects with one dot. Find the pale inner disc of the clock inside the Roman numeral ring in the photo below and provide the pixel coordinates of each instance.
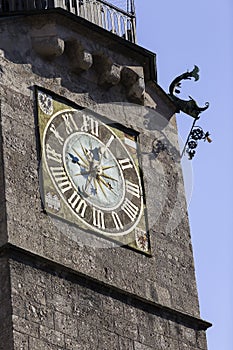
(93, 170)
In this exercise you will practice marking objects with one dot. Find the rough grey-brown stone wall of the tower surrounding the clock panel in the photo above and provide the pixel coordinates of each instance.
(67, 295)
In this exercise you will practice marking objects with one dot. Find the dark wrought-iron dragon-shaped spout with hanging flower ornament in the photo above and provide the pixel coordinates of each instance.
(191, 108)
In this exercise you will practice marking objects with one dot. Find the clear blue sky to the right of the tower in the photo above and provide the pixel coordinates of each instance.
(184, 33)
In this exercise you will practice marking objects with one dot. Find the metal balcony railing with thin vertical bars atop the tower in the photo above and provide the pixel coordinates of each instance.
(100, 12)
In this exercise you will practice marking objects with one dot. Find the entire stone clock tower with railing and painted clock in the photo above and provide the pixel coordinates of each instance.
(95, 245)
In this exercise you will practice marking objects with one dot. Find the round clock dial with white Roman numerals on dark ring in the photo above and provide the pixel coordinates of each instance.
(93, 172)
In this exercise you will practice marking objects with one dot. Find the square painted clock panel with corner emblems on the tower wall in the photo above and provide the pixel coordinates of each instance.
(91, 172)
